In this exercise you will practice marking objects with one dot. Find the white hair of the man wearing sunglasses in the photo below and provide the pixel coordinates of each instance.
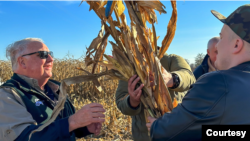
(16, 49)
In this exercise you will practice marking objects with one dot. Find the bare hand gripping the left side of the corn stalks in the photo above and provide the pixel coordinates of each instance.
(134, 94)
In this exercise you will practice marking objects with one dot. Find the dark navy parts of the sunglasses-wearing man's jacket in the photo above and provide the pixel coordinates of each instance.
(56, 131)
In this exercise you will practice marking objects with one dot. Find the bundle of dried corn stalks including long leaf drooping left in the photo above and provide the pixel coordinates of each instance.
(135, 51)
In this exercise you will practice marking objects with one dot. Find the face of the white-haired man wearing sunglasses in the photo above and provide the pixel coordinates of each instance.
(35, 66)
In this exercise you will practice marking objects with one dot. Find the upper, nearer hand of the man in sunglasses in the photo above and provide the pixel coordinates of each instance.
(91, 113)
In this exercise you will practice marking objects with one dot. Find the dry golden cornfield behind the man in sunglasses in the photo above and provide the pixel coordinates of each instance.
(117, 126)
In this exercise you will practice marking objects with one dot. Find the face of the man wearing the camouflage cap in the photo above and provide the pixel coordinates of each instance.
(224, 45)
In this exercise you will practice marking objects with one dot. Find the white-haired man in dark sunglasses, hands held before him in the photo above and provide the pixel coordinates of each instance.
(29, 97)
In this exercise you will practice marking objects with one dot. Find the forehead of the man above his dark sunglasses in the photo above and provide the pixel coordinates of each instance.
(36, 46)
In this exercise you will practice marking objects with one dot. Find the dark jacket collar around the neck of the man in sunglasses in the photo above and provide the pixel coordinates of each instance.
(28, 84)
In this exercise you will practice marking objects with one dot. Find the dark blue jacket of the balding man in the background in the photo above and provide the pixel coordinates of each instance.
(202, 69)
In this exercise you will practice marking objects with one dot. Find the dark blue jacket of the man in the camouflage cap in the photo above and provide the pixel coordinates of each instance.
(217, 98)
